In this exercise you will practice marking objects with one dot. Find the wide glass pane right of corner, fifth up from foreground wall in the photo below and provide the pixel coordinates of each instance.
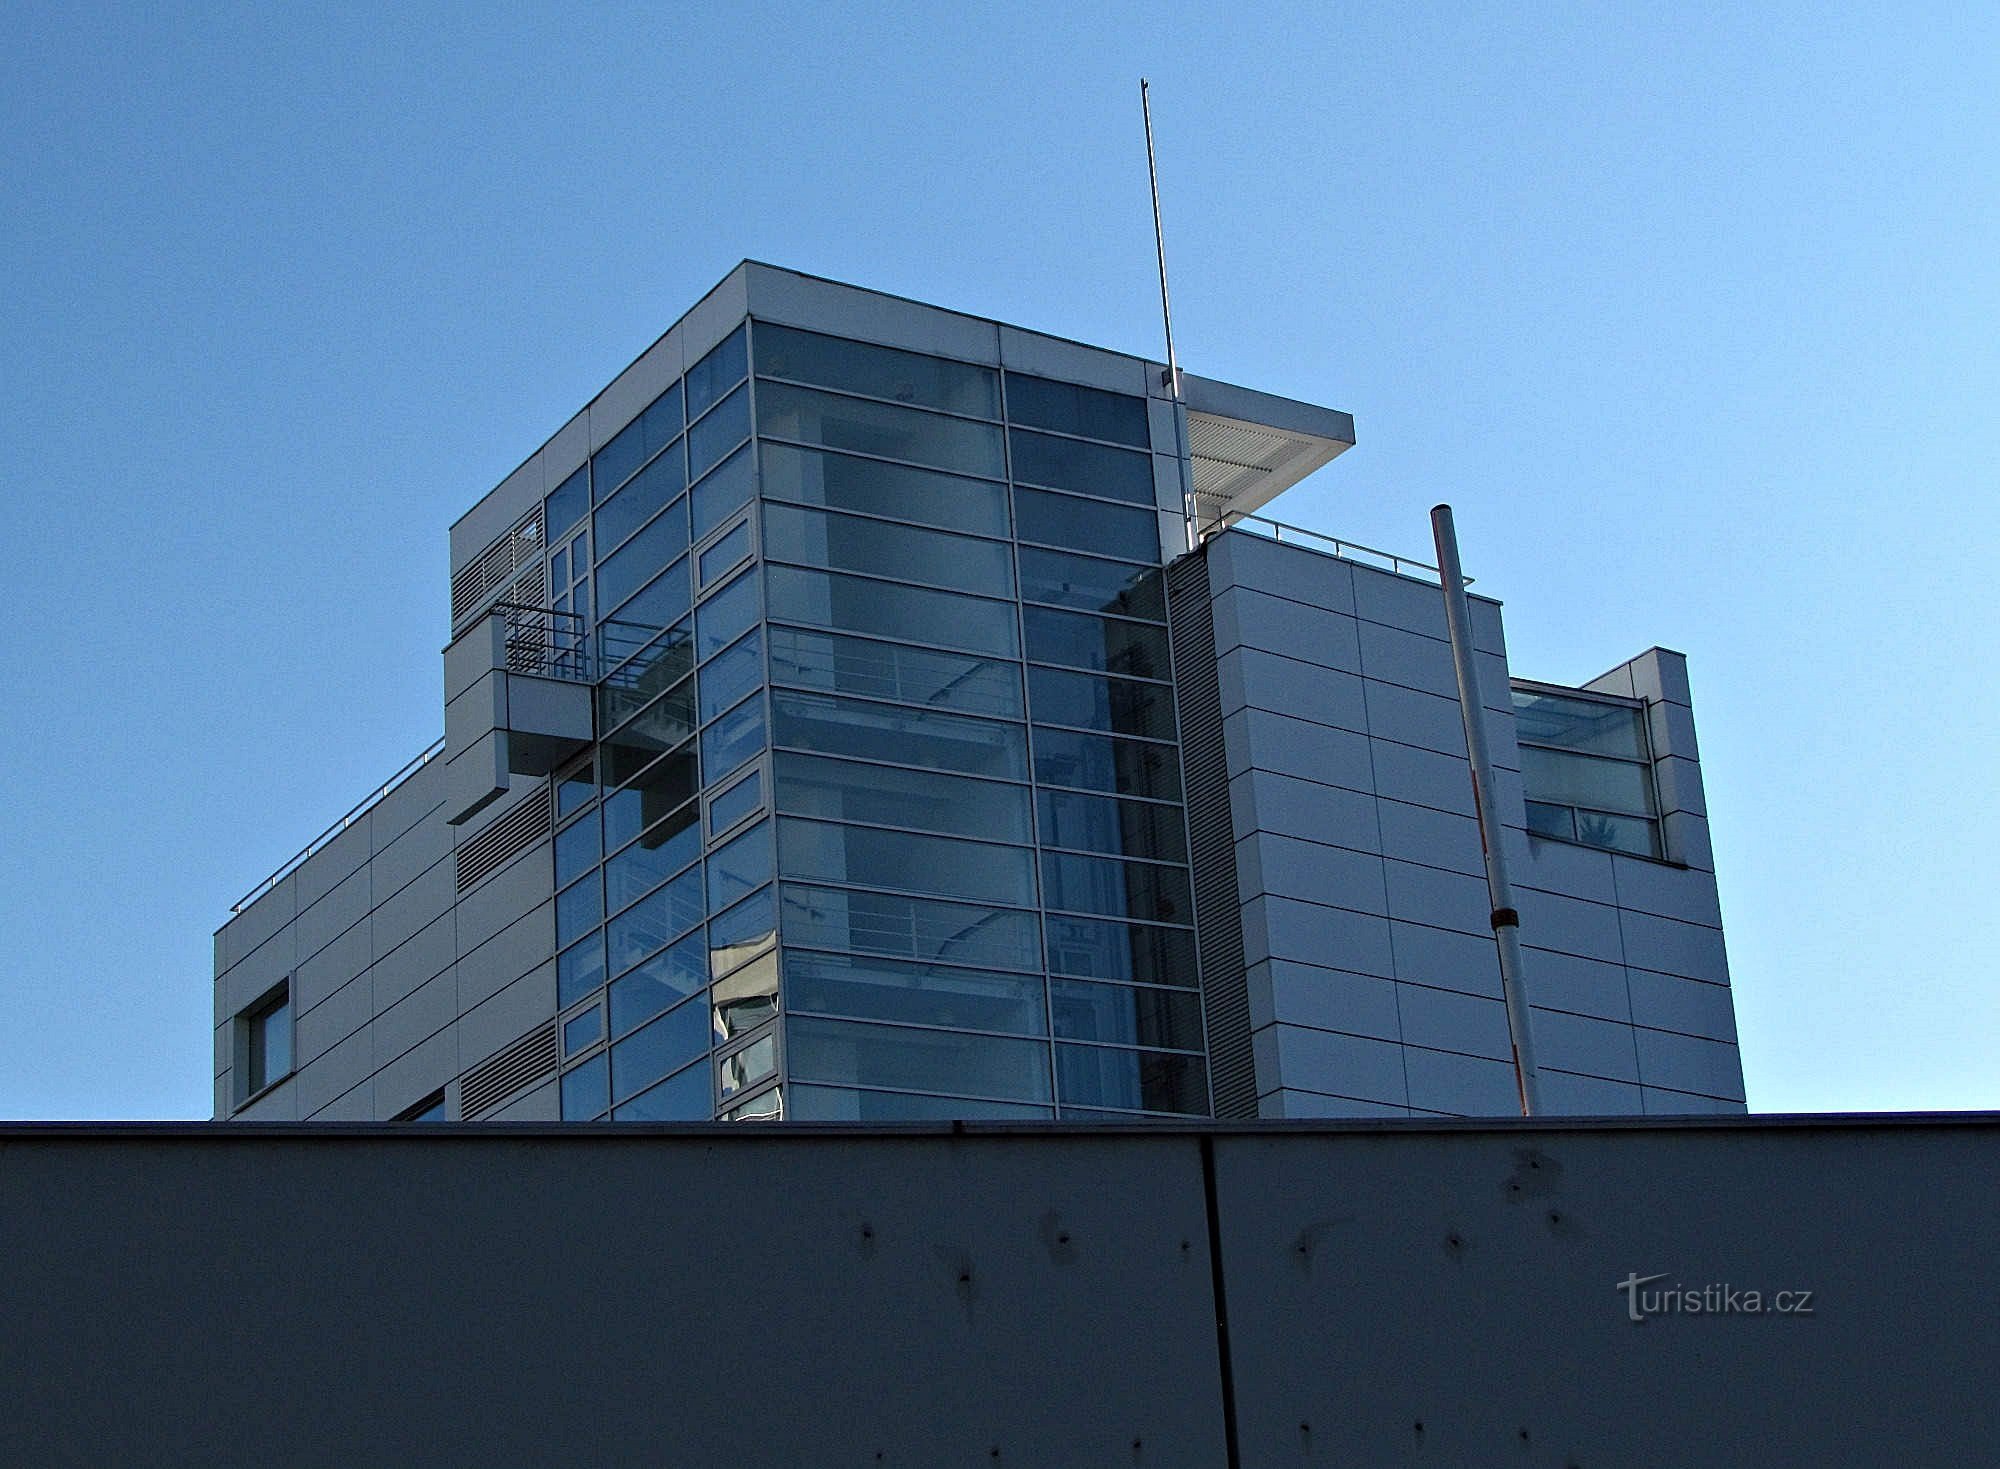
(941, 866)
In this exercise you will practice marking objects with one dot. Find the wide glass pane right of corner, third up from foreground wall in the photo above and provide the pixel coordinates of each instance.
(887, 990)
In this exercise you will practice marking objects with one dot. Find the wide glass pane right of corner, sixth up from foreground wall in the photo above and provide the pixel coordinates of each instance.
(811, 786)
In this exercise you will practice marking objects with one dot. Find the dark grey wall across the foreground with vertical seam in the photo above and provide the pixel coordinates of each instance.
(1393, 1294)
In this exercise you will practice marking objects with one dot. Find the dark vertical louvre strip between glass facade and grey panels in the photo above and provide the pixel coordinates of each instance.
(1219, 922)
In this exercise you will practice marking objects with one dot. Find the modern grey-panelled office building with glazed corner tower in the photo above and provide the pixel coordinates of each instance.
(839, 725)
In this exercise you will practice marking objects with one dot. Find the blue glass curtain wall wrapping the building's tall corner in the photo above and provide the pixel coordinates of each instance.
(885, 814)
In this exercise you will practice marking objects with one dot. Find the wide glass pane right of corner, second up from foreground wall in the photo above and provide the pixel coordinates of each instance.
(887, 1056)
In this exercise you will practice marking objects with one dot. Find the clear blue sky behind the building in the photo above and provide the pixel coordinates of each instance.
(1691, 313)
